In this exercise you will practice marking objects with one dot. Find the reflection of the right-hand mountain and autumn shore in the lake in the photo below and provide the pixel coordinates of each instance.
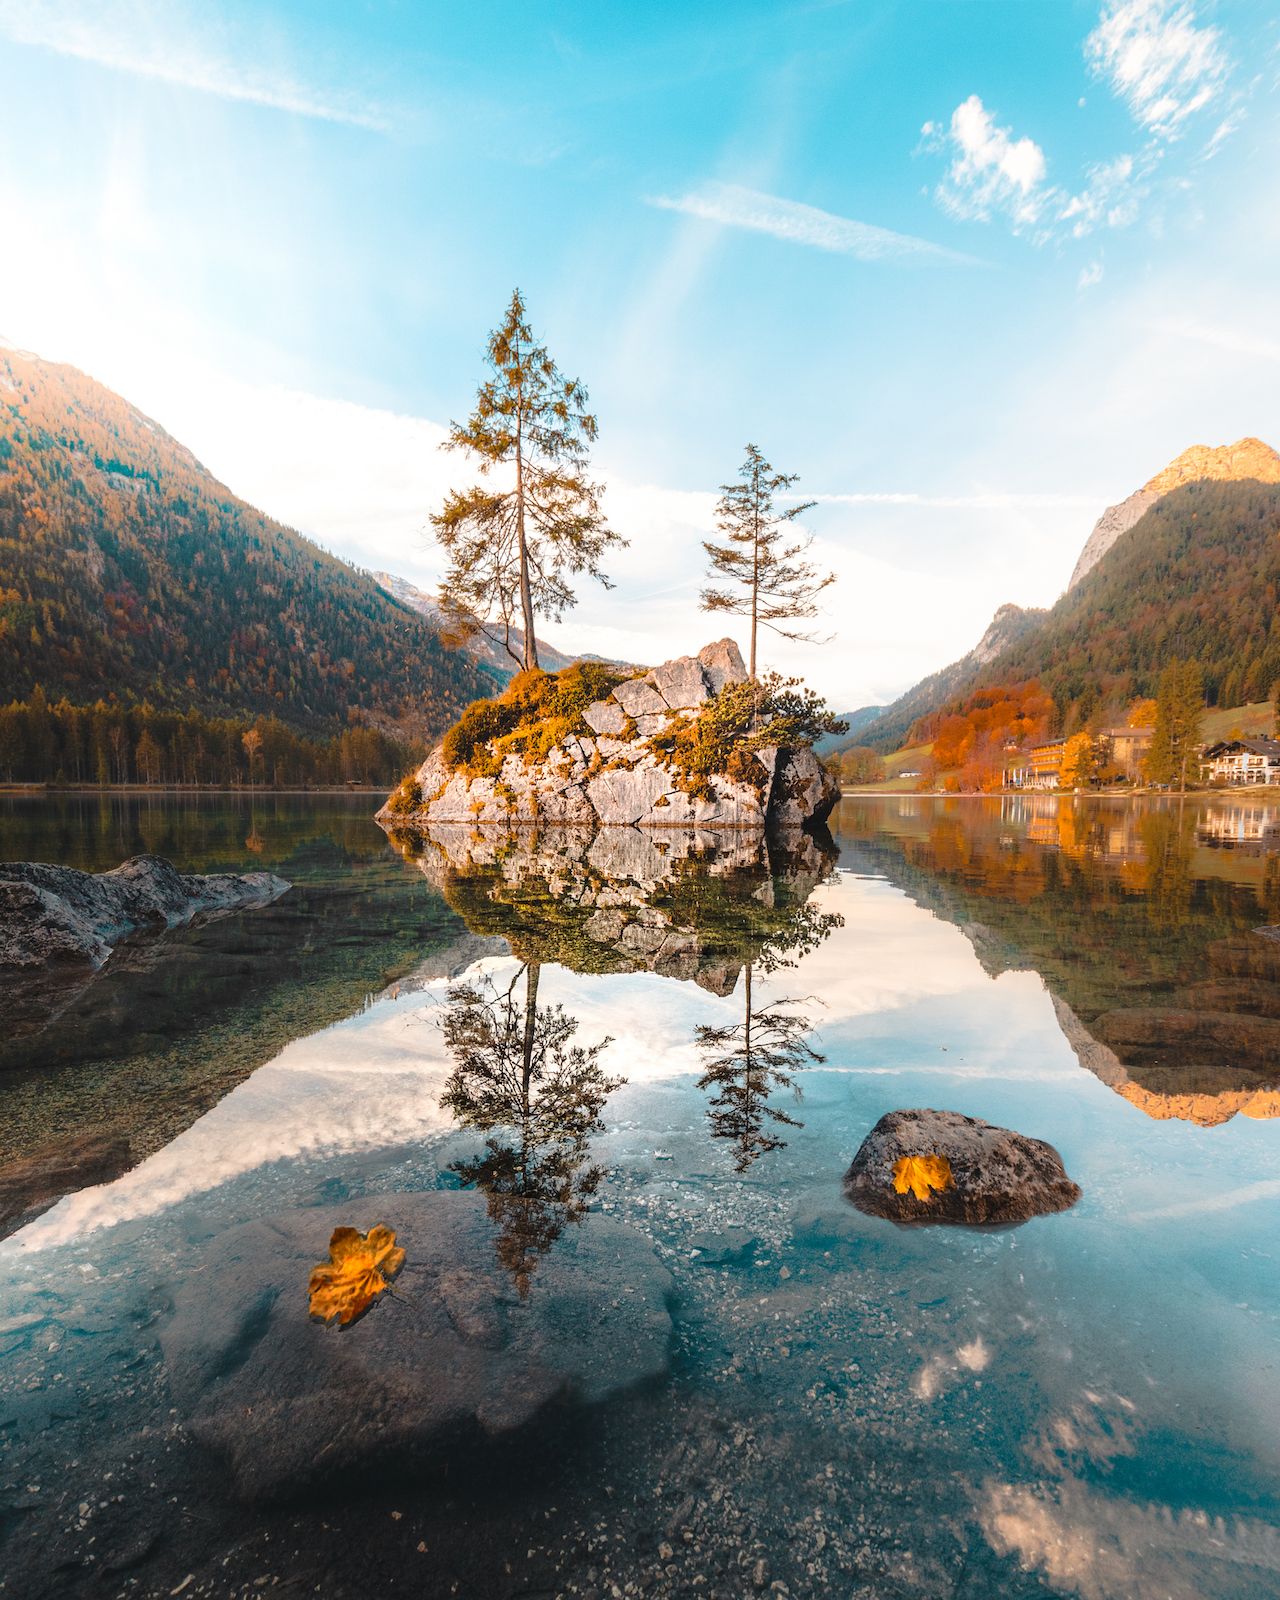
(1151, 926)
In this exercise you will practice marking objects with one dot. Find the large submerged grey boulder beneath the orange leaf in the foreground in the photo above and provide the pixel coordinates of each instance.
(457, 1354)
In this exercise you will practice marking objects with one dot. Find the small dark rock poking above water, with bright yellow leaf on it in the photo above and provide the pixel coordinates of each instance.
(996, 1175)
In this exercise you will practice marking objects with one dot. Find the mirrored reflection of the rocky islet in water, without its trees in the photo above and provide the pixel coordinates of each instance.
(694, 905)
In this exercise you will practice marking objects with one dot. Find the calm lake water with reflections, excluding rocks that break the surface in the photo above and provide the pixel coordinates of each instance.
(546, 1041)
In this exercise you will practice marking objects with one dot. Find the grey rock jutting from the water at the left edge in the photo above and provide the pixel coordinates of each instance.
(62, 918)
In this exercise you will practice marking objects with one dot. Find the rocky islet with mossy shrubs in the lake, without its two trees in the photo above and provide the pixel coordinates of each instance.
(692, 743)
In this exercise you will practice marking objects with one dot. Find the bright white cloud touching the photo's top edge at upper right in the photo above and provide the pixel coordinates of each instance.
(1159, 60)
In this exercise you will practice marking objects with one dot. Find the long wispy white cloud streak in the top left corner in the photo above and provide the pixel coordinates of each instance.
(170, 47)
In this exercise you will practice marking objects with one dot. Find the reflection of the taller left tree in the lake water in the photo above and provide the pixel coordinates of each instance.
(518, 1070)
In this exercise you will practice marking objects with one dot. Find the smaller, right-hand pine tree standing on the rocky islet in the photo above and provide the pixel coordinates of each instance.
(762, 567)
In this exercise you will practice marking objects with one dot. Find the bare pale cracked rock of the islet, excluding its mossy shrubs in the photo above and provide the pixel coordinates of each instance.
(612, 778)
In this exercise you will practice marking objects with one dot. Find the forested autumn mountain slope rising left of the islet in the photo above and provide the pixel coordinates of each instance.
(129, 572)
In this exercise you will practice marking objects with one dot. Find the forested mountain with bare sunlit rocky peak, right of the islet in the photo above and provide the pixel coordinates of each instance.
(1185, 567)
